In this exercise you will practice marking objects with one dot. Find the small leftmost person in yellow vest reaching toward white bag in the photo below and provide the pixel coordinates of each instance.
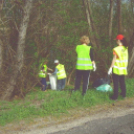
(42, 74)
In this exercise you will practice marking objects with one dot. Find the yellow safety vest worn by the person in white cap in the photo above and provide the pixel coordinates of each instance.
(61, 74)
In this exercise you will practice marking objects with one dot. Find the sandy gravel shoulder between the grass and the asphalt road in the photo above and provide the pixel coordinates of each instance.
(75, 118)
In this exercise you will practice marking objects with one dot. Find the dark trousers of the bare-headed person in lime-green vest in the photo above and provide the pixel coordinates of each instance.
(84, 76)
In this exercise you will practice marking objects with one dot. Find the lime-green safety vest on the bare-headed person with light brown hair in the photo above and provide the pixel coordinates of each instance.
(83, 58)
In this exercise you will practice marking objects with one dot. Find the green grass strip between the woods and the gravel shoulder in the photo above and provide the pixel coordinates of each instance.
(40, 104)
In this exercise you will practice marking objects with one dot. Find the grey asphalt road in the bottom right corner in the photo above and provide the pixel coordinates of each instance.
(118, 125)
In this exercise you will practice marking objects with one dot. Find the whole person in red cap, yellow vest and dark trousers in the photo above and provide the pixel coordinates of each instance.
(119, 65)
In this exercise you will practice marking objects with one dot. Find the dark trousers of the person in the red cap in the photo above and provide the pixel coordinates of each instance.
(119, 80)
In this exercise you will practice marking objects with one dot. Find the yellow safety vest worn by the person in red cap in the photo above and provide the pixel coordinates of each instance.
(120, 66)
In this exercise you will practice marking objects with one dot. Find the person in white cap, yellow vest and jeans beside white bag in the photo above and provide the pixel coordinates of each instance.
(61, 75)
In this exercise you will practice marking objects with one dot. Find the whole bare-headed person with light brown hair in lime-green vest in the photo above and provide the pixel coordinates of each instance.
(85, 63)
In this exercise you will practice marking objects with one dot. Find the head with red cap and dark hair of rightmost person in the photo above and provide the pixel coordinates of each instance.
(121, 40)
